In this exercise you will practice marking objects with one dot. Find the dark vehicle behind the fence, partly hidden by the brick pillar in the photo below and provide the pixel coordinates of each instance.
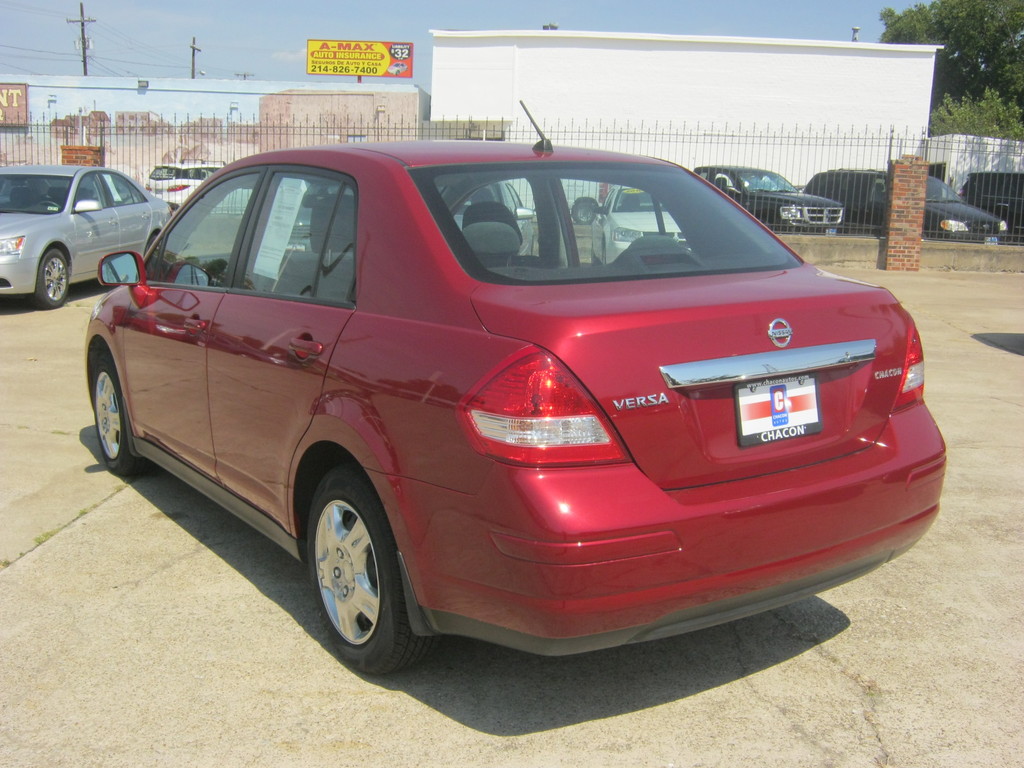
(865, 196)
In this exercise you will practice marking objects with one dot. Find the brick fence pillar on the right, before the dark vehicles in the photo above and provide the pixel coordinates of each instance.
(909, 179)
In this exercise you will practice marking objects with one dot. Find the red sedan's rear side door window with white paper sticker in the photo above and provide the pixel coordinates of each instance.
(305, 240)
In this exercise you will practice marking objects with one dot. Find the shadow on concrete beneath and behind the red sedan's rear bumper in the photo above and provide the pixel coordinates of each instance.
(504, 693)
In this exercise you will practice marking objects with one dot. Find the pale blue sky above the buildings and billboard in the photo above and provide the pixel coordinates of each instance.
(260, 39)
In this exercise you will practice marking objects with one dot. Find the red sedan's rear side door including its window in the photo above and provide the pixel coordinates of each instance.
(276, 330)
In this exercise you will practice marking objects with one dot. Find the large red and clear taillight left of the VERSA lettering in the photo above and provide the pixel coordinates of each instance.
(534, 412)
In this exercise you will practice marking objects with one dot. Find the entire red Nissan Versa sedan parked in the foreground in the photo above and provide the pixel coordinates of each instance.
(466, 432)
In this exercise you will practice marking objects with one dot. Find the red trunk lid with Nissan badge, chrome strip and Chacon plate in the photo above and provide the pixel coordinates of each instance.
(688, 371)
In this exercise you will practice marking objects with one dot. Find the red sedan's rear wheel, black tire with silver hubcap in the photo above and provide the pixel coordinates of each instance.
(354, 567)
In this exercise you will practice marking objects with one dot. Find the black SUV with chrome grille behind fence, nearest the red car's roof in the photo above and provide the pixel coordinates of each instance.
(774, 200)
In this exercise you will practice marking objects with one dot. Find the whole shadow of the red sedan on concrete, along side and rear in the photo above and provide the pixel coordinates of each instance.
(505, 693)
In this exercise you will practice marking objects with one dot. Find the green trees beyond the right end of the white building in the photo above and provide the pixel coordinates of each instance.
(982, 66)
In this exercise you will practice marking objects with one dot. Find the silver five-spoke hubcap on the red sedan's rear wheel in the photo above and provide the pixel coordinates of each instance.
(347, 572)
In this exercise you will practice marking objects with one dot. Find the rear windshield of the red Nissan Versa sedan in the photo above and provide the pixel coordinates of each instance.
(550, 223)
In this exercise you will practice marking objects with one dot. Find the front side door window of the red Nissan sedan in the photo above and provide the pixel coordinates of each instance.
(197, 250)
